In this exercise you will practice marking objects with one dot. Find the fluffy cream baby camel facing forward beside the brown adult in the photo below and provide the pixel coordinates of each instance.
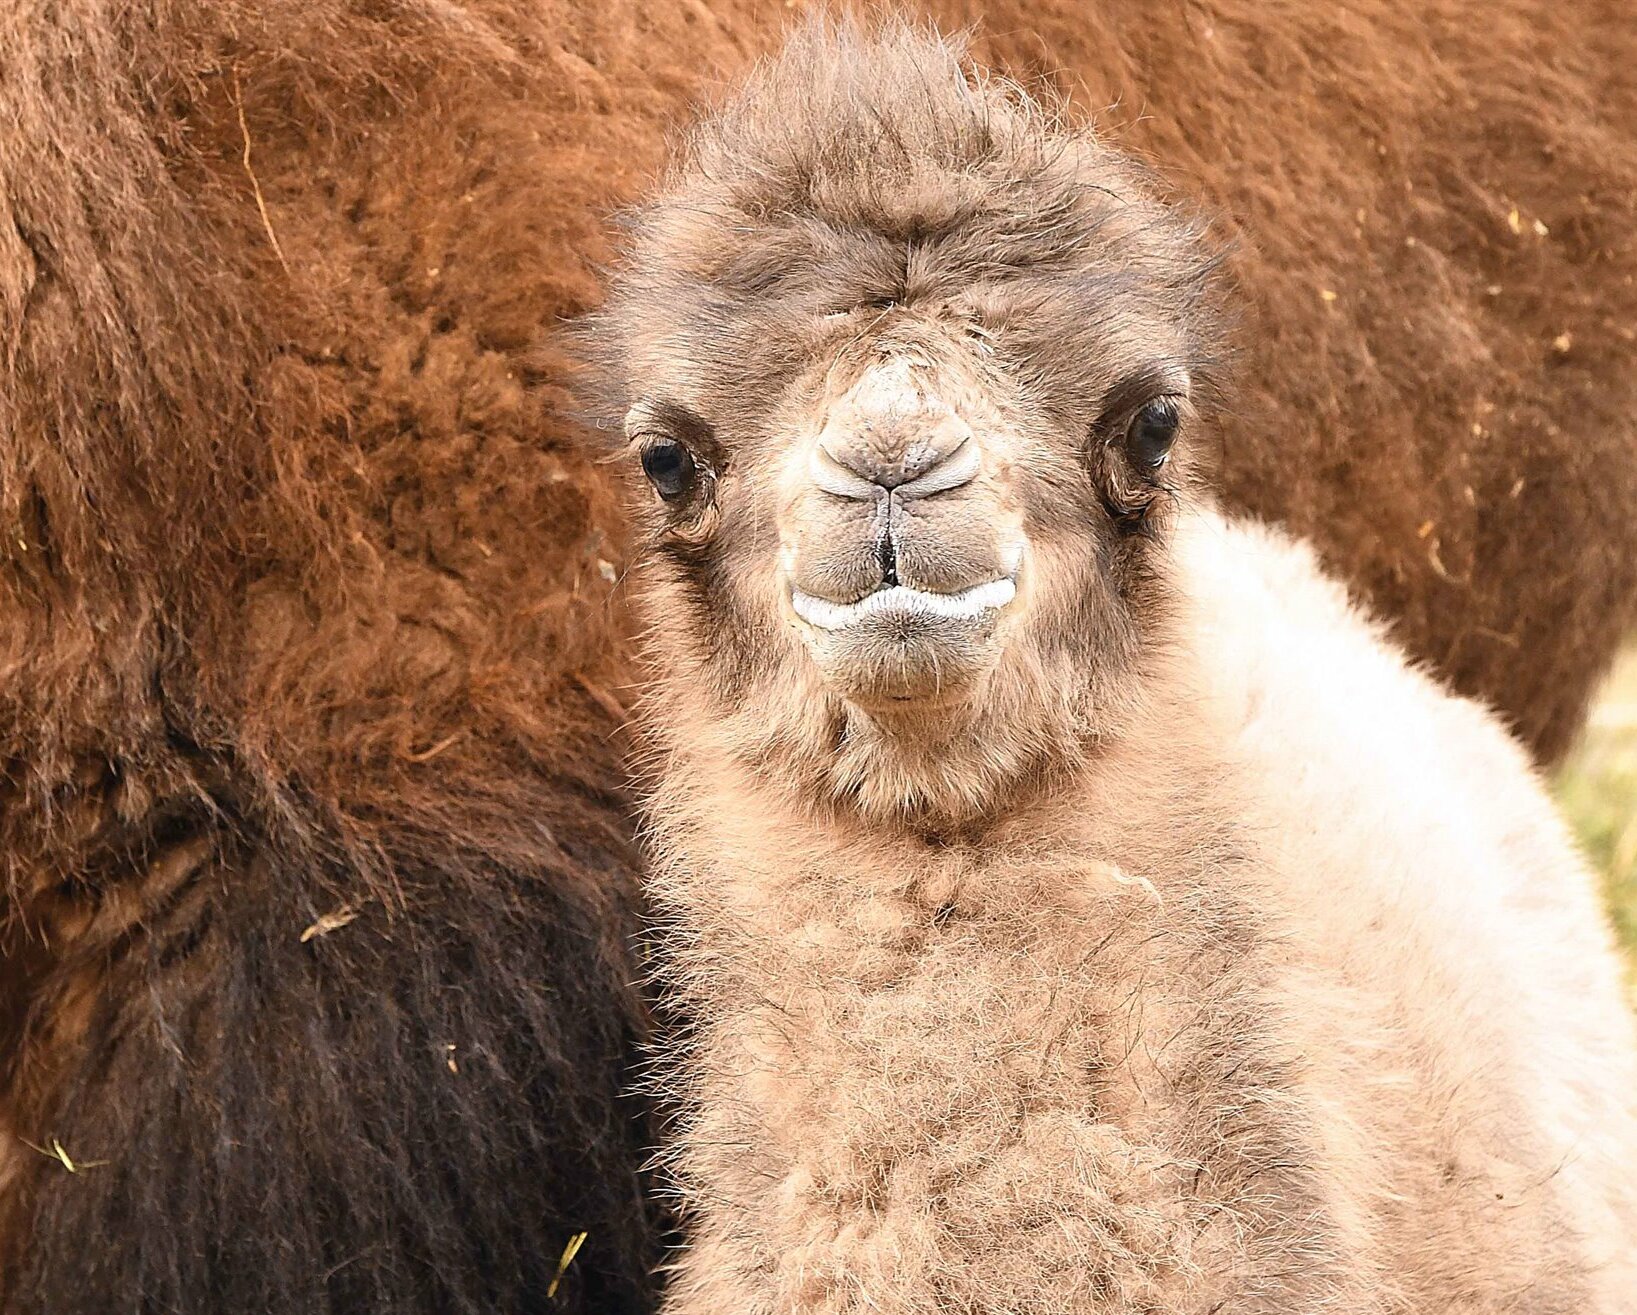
(1076, 905)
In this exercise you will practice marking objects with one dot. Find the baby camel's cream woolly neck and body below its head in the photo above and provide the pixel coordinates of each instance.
(1292, 996)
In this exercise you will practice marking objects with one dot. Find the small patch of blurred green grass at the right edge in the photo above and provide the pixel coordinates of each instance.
(1599, 792)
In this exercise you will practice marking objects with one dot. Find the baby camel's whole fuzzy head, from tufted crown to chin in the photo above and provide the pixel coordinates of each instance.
(909, 376)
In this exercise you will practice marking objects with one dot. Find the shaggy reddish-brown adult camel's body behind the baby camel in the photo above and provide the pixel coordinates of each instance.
(305, 572)
